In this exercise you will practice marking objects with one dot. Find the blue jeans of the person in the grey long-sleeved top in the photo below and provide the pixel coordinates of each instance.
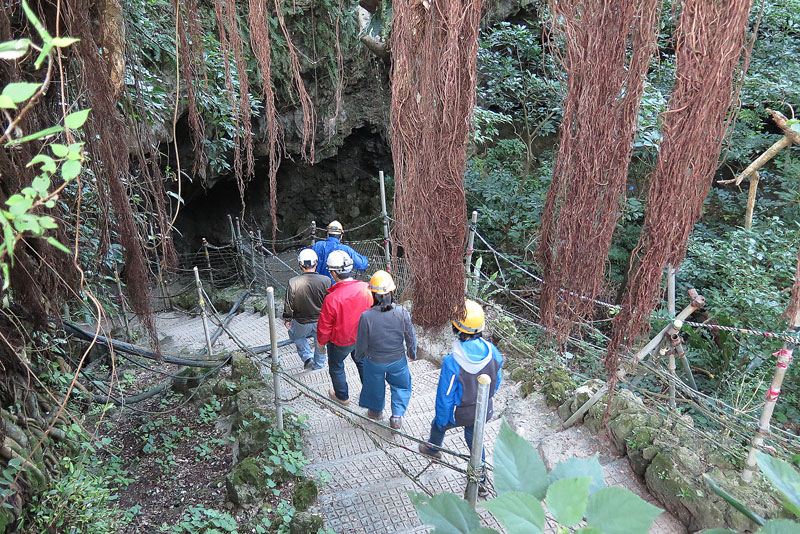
(373, 393)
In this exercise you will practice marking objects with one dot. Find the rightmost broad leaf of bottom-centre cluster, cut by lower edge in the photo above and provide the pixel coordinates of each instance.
(605, 512)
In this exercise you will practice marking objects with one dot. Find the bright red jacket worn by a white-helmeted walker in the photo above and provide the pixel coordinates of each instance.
(341, 310)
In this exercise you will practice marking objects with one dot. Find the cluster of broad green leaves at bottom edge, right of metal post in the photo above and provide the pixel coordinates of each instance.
(522, 483)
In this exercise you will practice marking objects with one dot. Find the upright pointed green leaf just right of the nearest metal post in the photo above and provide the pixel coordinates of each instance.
(517, 465)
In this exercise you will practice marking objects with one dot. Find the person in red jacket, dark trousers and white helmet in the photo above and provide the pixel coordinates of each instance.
(347, 299)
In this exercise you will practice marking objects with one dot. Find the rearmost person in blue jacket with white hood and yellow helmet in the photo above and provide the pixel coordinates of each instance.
(457, 393)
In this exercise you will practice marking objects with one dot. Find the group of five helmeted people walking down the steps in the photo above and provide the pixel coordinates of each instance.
(348, 317)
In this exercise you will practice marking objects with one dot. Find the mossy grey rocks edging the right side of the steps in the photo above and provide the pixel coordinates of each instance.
(668, 453)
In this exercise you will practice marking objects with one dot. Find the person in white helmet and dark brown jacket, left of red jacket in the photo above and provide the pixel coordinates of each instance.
(302, 307)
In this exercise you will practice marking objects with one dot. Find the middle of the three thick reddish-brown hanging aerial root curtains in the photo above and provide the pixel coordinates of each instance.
(607, 49)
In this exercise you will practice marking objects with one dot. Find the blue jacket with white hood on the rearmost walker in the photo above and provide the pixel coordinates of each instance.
(471, 356)
